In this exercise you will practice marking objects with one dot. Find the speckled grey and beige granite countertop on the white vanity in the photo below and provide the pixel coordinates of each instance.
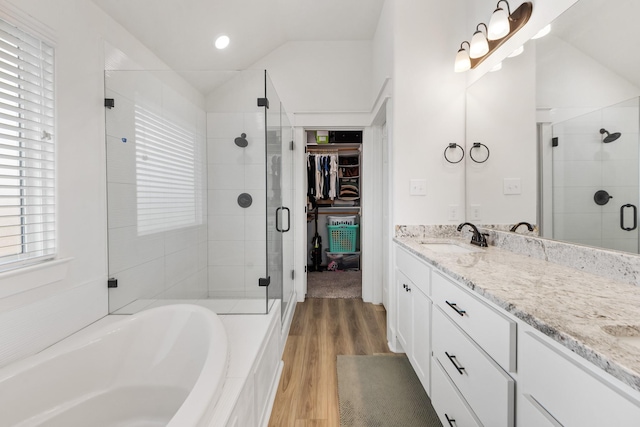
(581, 311)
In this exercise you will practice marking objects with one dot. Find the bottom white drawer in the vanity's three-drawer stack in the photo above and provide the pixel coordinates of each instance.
(451, 407)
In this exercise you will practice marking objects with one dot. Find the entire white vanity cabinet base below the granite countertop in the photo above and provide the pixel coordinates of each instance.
(489, 368)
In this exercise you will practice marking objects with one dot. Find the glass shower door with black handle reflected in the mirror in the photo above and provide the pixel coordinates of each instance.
(595, 178)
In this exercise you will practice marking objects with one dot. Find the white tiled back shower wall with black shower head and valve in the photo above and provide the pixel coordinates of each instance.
(237, 236)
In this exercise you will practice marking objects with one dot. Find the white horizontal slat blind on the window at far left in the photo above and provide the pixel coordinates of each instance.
(27, 173)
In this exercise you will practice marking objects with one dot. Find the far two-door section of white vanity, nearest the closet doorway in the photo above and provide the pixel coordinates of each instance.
(414, 313)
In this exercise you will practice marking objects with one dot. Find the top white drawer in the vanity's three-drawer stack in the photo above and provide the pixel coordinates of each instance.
(493, 331)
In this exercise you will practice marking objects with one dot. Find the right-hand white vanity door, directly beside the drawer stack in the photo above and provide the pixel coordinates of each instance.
(422, 337)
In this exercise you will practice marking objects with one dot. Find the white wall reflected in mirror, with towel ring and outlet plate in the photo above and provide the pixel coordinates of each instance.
(501, 114)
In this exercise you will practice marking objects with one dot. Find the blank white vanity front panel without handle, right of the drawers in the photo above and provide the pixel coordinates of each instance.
(571, 390)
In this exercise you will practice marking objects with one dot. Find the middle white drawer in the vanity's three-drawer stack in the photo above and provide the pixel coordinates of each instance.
(485, 386)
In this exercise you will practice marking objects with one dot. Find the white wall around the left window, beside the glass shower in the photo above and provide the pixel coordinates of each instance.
(31, 321)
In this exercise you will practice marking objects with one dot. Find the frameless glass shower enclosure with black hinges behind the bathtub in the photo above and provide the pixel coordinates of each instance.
(196, 181)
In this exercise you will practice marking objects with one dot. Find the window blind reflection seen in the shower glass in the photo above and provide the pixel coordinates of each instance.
(168, 175)
